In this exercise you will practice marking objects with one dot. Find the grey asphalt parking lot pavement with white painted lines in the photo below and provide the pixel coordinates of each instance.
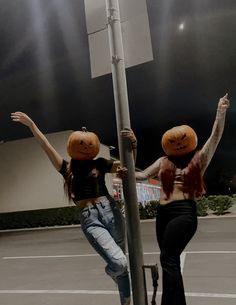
(57, 266)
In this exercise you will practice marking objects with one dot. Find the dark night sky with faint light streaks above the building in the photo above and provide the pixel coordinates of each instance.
(44, 77)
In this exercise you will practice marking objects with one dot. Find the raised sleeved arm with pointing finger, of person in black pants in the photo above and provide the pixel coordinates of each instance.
(209, 148)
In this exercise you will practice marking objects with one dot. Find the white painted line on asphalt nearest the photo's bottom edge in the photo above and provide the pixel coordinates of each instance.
(111, 292)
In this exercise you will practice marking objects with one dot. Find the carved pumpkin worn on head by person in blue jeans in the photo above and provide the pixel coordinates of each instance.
(83, 145)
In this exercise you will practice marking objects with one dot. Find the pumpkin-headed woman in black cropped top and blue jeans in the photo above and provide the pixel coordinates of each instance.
(84, 182)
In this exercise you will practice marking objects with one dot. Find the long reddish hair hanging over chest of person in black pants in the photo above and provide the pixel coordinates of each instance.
(193, 183)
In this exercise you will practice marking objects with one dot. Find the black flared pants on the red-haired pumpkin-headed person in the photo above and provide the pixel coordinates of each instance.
(176, 224)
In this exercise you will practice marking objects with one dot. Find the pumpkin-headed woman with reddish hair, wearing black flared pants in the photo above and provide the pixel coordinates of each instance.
(180, 172)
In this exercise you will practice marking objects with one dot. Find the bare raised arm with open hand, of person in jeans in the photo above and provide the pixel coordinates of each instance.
(52, 154)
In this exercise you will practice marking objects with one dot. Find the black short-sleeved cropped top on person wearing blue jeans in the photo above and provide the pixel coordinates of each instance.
(88, 177)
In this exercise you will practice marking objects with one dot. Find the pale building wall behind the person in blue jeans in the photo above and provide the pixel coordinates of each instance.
(28, 181)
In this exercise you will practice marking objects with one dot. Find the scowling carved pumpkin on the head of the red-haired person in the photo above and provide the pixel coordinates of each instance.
(179, 141)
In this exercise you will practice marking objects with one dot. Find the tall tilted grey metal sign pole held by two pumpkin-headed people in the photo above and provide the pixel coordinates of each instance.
(129, 182)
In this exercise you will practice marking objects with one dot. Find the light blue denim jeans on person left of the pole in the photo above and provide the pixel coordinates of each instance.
(103, 226)
